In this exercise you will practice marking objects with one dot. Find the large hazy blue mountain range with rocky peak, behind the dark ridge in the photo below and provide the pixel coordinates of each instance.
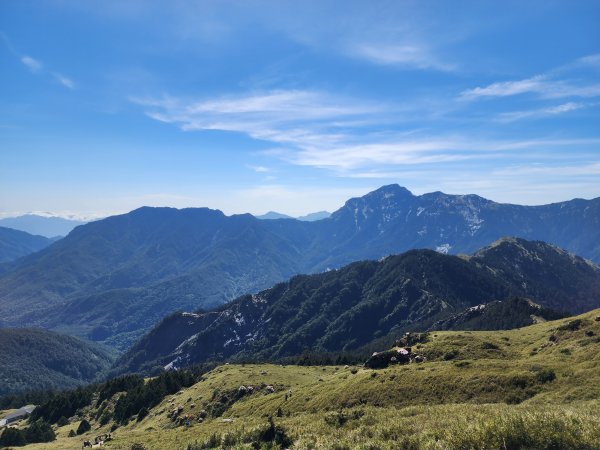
(113, 279)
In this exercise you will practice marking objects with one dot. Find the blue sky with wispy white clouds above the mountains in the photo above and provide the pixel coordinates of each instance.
(106, 106)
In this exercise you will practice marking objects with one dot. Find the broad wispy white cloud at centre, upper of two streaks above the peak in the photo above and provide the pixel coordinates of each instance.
(291, 117)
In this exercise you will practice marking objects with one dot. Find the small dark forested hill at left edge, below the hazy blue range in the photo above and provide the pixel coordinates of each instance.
(33, 359)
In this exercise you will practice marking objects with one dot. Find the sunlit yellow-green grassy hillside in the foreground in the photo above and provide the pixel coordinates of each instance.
(534, 387)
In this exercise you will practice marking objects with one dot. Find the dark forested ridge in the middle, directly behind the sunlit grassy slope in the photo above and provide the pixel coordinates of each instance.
(351, 307)
